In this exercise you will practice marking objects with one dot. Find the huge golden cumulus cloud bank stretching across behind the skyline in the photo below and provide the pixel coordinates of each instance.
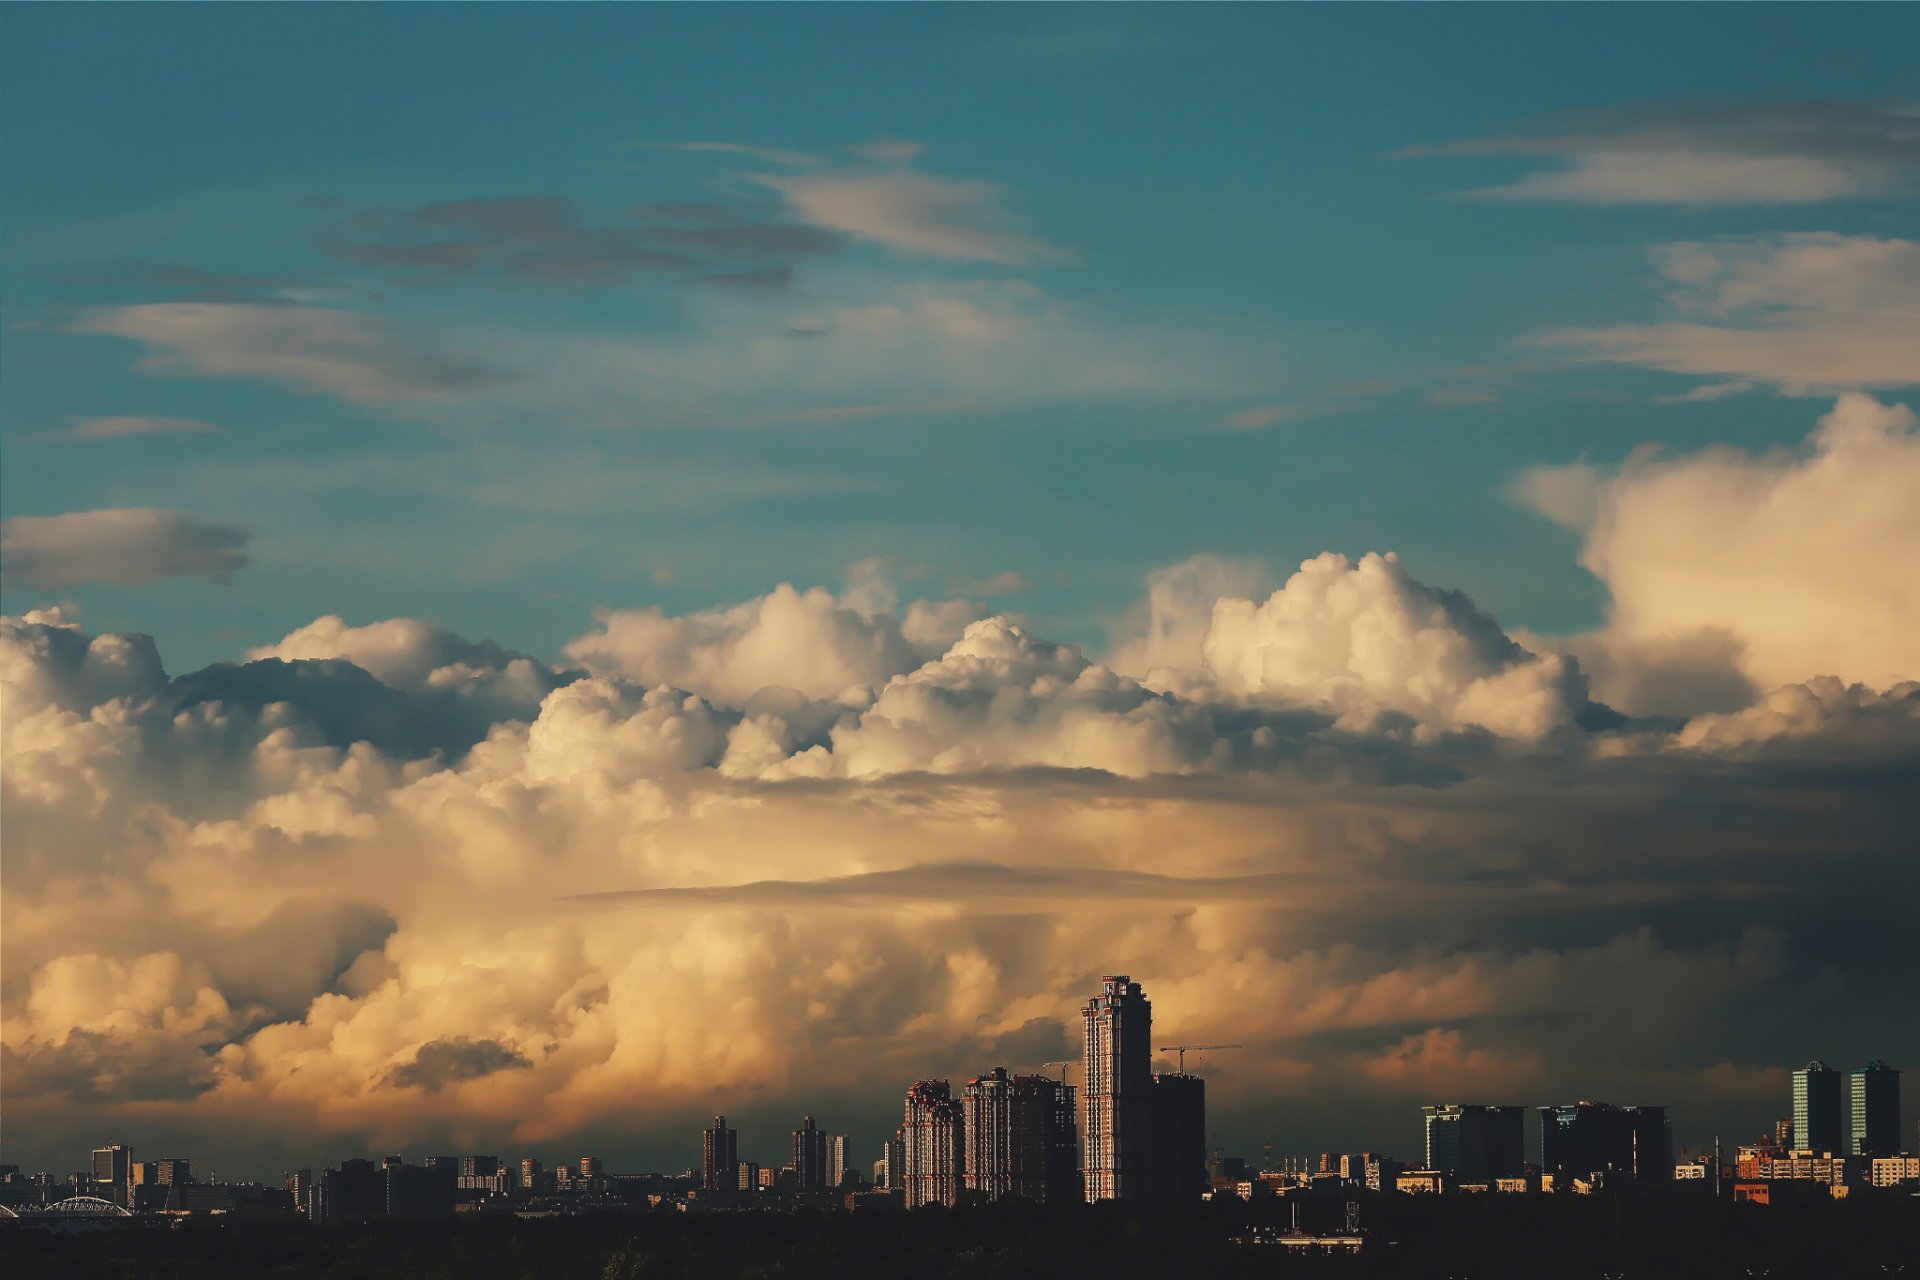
(702, 874)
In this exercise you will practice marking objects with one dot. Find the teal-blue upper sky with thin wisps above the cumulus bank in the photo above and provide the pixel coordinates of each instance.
(1120, 287)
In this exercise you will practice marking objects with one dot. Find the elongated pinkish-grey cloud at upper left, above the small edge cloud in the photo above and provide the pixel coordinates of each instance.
(347, 354)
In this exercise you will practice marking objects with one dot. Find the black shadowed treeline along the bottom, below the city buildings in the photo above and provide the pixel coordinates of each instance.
(1468, 1237)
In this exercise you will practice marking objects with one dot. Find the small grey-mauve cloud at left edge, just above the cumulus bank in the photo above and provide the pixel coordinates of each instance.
(120, 546)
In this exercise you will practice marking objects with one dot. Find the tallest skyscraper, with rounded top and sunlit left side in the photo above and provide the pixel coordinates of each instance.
(1118, 1093)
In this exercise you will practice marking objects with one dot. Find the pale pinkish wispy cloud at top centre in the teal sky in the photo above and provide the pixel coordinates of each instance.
(911, 214)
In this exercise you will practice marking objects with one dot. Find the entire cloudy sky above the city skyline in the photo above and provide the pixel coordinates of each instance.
(575, 567)
